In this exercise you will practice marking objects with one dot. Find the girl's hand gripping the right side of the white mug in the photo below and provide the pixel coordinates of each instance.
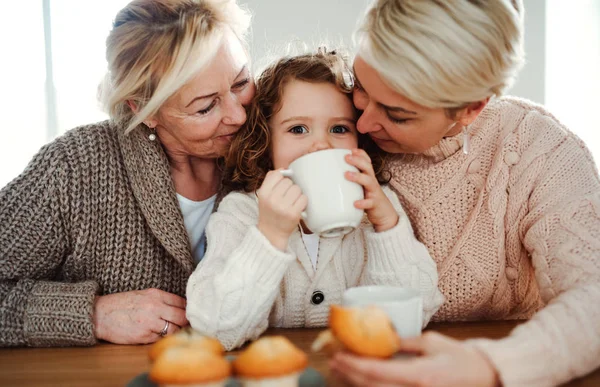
(379, 209)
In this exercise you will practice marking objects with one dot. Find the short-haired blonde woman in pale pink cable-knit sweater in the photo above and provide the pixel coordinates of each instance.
(504, 196)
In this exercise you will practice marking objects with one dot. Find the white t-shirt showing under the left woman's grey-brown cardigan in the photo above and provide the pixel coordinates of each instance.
(195, 218)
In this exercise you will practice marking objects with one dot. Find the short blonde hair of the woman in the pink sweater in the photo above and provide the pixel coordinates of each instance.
(444, 54)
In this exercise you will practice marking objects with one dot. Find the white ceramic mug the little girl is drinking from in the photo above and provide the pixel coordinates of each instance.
(320, 176)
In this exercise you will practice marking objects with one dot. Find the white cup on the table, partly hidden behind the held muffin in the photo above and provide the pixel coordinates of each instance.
(403, 306)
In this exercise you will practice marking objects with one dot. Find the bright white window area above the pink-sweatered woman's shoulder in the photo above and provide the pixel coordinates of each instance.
(573, 67)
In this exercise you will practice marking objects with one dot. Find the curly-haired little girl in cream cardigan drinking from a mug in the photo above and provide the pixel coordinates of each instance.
(262, 266)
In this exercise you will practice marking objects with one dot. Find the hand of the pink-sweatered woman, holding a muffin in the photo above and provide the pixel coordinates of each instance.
(442, 361)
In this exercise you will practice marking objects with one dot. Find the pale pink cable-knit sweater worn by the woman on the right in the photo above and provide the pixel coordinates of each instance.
(514, 228)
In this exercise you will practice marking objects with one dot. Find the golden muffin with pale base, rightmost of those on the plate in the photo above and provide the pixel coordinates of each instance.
(270, 361)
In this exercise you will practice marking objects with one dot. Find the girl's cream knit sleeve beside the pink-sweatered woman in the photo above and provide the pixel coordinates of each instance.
(396, 257)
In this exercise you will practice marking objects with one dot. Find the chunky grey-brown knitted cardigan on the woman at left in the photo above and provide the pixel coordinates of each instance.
(95, 212)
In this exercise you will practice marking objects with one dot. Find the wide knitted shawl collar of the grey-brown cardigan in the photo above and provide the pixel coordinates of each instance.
(148, 169)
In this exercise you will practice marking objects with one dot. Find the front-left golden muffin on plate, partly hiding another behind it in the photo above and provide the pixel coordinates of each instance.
(190, 367)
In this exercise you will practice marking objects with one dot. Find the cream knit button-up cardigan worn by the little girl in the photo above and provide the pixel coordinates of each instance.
(244, 284)
